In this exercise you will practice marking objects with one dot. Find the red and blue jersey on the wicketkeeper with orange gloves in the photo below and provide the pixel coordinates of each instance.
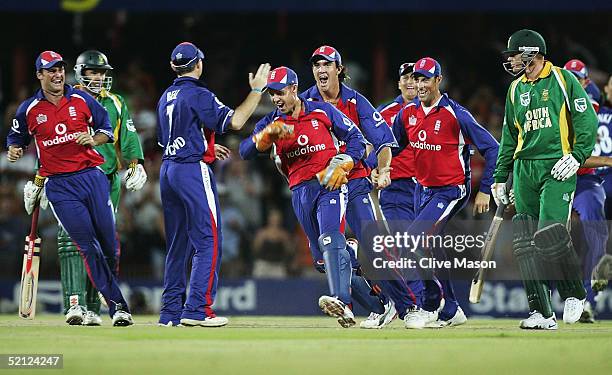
(316, 135)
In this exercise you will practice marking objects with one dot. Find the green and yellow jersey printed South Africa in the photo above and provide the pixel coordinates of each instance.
(545, 119)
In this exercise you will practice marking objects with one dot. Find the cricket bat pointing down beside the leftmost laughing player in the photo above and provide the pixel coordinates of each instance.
(29, 271)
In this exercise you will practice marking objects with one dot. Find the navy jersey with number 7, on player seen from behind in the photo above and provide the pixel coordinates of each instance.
(189, 115)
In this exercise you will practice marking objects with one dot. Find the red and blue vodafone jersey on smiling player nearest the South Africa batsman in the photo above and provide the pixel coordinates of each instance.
(441, 141)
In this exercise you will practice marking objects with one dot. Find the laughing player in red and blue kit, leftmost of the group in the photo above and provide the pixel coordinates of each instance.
(61, 120)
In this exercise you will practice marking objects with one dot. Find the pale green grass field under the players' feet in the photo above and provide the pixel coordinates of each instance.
(311, 345)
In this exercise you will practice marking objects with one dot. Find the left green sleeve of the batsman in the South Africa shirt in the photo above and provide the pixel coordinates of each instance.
(509, 141)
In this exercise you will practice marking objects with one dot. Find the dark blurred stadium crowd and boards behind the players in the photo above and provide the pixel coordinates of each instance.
(374, 38)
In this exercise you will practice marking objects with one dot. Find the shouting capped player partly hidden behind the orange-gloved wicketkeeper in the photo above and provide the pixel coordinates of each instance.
(329, 73)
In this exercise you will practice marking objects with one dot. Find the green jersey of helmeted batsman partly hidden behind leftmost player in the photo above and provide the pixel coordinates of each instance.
(127, 144)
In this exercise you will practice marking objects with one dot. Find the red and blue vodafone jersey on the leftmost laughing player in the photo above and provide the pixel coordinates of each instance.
(54, 129)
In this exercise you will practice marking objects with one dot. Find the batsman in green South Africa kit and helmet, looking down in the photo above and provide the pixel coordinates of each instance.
(549, 131)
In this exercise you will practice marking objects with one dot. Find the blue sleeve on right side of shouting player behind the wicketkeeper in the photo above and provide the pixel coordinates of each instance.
(371, 124)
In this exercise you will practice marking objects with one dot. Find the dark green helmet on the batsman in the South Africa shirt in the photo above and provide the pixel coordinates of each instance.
(529, 44)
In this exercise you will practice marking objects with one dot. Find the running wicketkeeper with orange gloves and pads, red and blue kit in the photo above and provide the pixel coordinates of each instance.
(305, 136)
